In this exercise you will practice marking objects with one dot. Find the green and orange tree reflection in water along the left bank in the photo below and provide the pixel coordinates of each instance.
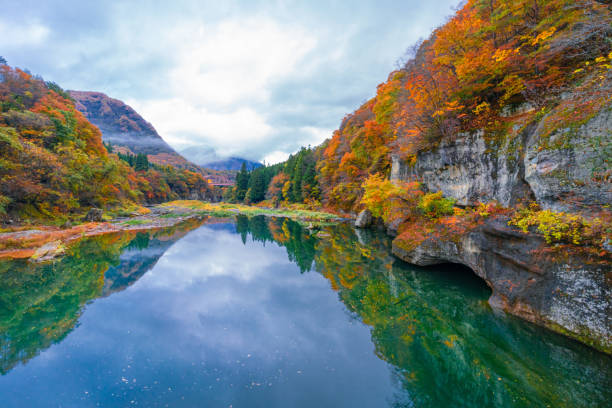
(41, 303)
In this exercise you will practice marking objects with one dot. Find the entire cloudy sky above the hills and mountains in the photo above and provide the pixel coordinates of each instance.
(252, 78)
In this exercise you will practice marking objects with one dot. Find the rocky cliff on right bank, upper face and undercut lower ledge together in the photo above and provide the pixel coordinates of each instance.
(563, 170)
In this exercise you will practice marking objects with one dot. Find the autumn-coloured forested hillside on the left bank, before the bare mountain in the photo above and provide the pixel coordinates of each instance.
(53, 163)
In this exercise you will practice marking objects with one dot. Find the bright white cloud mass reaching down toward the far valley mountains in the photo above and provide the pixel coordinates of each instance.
(221, 78)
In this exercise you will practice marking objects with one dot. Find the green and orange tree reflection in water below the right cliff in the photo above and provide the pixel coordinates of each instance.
(436, 329)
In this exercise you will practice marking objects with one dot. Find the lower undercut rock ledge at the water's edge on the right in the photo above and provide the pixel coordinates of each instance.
(567, 295)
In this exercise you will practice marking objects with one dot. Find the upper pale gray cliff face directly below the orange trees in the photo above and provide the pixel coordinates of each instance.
(567, 178)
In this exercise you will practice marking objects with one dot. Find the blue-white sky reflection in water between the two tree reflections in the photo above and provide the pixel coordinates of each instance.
(213, 319)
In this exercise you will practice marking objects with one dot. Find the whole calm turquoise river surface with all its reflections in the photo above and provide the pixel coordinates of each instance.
(261, 312)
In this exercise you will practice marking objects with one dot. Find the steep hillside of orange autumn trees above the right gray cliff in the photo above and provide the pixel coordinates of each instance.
(495, 67)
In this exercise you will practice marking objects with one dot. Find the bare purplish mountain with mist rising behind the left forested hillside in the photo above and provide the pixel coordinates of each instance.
(128, 132)
